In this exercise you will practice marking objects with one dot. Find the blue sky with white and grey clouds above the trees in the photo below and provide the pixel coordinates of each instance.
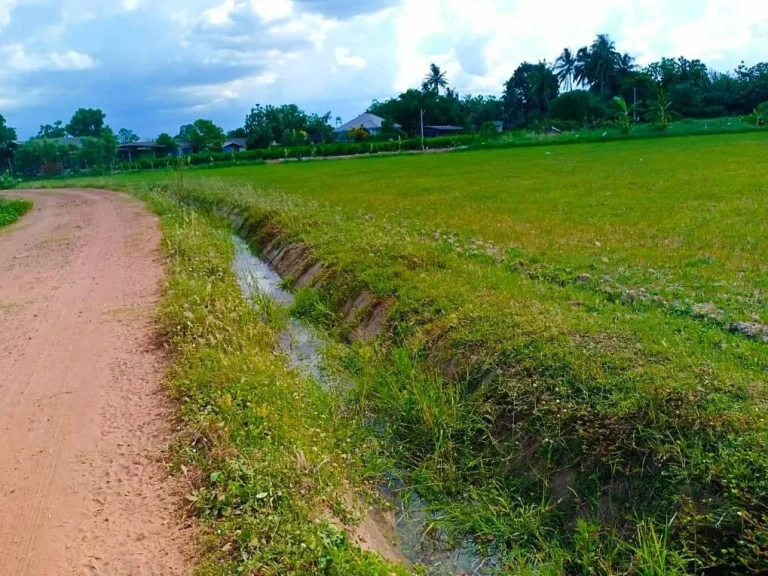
(153, 65)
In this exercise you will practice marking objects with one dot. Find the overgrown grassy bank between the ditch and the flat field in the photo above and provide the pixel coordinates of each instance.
(556, 454)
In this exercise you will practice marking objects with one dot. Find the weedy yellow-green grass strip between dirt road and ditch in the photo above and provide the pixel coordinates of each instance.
(277, 476)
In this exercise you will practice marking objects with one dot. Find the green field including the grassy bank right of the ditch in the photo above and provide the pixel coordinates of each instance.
(560, 375)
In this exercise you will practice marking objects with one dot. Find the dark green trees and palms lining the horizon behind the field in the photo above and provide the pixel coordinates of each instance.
(591, 86)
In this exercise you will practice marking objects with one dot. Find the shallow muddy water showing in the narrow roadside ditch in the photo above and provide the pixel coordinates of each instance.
(303, 348)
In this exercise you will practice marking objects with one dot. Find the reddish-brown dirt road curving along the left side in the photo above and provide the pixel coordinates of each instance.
(83, 420)
